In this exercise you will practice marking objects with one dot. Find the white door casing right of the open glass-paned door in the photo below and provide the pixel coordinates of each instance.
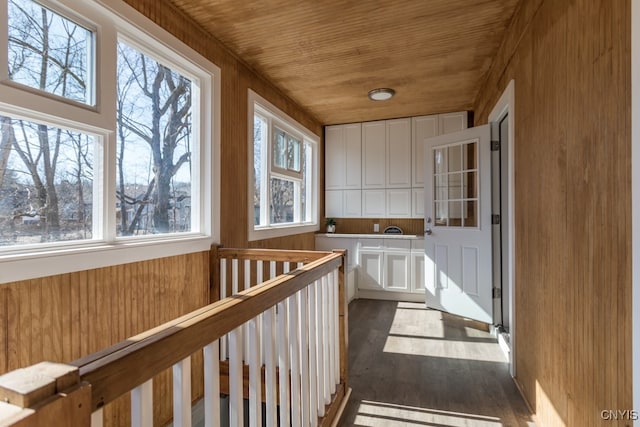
(505, 105)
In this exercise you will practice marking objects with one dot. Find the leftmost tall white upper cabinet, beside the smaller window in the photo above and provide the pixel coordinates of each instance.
(343, 156)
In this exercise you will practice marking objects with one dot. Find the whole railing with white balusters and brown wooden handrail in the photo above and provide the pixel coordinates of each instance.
(276, 336)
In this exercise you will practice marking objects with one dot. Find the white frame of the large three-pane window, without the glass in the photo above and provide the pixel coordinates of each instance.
(111, 23)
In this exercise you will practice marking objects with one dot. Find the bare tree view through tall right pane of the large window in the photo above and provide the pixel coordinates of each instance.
(154, 121)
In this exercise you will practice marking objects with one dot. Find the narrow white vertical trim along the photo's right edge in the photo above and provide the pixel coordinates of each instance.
(635, 203)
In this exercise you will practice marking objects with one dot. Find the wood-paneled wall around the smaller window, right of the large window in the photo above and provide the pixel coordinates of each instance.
(237, 78)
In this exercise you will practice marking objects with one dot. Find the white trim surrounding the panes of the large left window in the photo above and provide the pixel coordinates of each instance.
(23, 263)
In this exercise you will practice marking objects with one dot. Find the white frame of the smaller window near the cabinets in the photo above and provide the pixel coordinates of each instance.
(276, 118)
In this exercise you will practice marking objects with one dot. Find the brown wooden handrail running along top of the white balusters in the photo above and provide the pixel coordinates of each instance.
(120, 368)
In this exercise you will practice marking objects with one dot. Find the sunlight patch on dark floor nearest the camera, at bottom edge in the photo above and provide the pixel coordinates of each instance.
(375, 414)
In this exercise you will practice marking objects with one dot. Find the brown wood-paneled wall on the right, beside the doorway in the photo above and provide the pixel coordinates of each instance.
(570, 61)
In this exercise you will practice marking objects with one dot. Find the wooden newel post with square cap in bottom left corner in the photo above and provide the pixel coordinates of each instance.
(38, 394)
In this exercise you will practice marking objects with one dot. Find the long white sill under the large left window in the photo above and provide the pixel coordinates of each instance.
(30, 265)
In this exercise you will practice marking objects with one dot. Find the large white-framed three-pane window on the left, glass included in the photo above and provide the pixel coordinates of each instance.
(99, 160)
